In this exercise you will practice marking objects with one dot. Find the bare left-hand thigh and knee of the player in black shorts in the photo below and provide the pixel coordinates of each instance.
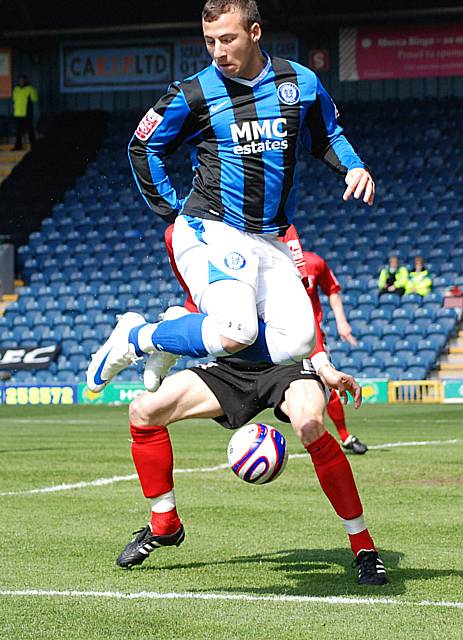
(180, 396)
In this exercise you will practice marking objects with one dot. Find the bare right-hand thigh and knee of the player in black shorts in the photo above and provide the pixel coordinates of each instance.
(304, 404)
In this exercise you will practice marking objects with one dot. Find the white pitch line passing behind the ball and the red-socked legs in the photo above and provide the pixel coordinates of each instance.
(99, 482)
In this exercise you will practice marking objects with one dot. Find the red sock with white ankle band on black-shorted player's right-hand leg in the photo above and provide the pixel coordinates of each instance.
(337, 481)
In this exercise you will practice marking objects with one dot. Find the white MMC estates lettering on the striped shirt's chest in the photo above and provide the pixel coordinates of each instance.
(256, 136)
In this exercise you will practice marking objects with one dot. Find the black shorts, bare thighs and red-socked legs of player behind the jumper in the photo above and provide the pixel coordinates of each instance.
(233, 392)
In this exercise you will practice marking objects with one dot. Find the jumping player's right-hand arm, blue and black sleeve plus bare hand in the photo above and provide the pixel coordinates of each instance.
(325, 140)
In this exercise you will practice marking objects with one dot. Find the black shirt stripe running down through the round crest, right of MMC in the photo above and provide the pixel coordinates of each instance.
(284, 72)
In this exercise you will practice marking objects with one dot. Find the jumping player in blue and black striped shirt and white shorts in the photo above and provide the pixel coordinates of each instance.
(244, 116)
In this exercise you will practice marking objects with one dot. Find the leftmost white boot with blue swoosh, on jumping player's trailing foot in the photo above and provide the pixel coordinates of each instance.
(115, 355)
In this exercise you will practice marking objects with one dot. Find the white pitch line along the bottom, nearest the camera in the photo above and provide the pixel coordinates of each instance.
(241, 597)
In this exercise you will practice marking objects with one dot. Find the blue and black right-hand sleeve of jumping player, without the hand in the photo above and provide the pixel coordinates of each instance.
(323, 137)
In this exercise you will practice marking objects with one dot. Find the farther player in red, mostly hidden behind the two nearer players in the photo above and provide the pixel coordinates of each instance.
(315, 274)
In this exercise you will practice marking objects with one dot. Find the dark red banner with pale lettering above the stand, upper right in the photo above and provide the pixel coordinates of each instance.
(400, 52)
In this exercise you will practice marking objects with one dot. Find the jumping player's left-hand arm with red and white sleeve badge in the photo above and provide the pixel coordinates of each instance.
(163, 128)
